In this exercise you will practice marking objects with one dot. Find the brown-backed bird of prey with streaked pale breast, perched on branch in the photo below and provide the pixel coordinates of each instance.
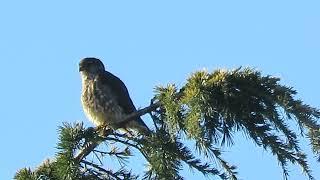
(105, 98)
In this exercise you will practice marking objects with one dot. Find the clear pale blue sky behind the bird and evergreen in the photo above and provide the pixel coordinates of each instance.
(146, 43)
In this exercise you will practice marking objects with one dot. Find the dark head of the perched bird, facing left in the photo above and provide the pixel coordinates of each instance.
(91, 66)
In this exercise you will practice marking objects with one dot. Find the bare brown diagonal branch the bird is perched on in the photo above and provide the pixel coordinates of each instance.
(93, 144)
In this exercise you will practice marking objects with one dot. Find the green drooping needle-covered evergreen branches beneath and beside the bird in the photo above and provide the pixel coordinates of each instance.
(206, 113)
